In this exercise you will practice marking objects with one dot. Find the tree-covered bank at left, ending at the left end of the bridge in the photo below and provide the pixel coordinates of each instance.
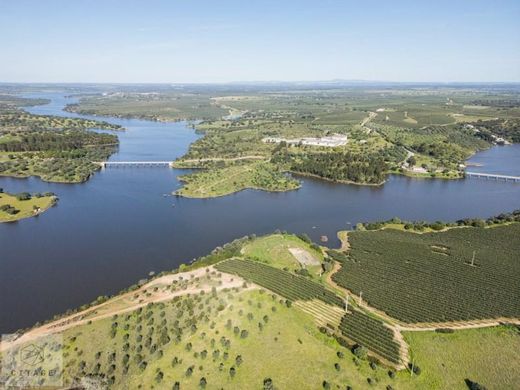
(54, 148)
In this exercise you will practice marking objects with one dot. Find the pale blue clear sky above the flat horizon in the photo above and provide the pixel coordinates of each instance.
(196, 41)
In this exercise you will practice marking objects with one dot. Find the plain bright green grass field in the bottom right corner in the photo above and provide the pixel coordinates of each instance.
(488, 356)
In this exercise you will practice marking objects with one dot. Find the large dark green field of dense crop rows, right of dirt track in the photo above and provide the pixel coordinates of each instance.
(460, 274)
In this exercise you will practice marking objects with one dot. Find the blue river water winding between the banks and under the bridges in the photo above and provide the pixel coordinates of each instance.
(106, 234)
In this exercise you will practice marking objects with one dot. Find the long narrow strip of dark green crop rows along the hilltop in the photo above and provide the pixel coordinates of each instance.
(281, 282)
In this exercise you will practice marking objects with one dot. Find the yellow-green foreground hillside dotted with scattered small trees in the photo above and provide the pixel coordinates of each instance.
(202, 336)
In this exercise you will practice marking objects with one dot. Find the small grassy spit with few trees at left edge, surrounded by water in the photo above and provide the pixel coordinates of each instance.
(14, 207)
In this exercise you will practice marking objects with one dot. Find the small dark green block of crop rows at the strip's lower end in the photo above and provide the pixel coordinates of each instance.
(372, 334)
